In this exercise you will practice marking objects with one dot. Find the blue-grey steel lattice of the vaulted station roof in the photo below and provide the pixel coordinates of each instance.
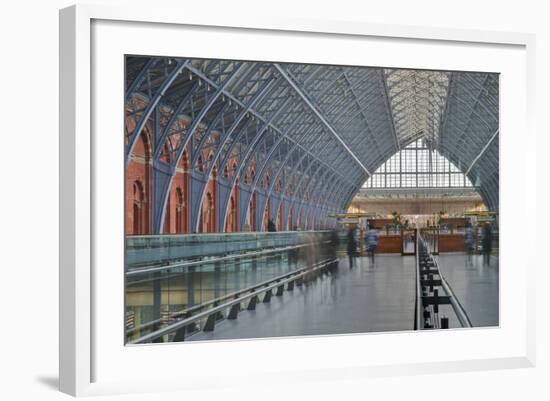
(318, 131)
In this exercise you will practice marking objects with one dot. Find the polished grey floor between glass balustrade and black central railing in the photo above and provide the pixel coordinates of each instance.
(367, 298)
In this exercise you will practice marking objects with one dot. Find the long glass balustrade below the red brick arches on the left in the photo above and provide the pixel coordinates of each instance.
(171, 277)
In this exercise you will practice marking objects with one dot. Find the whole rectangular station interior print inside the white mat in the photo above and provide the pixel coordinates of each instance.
(266, 199)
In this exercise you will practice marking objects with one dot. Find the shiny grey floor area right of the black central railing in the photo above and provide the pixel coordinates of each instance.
(476, 286)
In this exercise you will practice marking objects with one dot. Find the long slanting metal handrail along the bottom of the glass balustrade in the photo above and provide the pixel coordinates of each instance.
(252, 292)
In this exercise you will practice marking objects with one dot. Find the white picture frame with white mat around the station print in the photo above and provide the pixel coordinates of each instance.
(83, 354)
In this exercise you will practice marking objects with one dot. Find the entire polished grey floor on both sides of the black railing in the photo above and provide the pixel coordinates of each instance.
(369, 297)
